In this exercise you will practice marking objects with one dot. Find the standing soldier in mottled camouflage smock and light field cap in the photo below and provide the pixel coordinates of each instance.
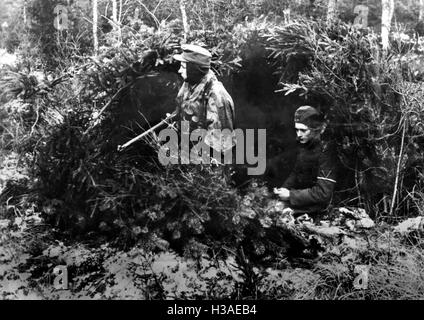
(202, 100)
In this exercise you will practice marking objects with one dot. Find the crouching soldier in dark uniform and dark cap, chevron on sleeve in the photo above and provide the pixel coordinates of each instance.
(309, 187)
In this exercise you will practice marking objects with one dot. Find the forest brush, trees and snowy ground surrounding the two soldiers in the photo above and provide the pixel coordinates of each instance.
(90, 75)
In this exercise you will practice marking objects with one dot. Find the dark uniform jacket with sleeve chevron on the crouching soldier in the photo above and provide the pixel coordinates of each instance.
(312, 181)
